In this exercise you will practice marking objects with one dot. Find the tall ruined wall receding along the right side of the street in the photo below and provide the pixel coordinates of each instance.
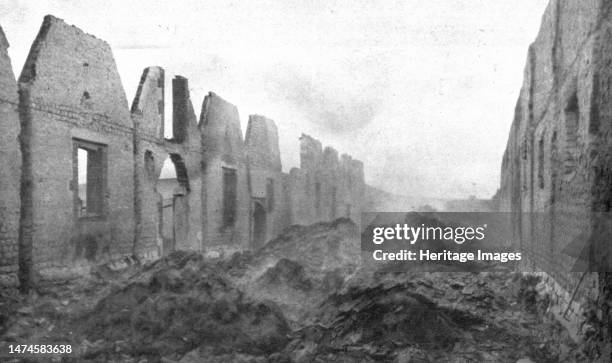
(556, 177)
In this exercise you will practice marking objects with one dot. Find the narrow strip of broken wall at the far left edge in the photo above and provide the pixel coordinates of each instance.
(10, 164)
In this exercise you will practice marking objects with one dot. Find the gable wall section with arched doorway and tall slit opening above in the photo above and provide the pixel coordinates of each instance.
(150, 151)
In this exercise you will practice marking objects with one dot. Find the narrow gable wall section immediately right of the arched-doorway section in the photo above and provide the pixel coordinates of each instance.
(225, 193)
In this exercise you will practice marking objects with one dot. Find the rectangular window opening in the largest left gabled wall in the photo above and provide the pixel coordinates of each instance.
(91, 178)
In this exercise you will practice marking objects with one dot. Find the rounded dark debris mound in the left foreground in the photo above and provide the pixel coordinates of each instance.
(178, 304)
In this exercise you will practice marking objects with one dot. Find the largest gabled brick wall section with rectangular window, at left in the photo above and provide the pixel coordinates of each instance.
(71, 93)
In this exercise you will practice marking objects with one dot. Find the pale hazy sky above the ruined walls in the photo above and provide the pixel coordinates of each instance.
(422, 91)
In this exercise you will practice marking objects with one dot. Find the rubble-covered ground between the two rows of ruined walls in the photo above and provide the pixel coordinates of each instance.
(303, 298)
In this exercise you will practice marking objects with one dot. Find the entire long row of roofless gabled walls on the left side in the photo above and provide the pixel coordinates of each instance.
(80, 177)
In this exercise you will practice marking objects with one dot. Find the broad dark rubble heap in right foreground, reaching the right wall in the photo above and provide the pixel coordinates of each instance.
(439, 317)
